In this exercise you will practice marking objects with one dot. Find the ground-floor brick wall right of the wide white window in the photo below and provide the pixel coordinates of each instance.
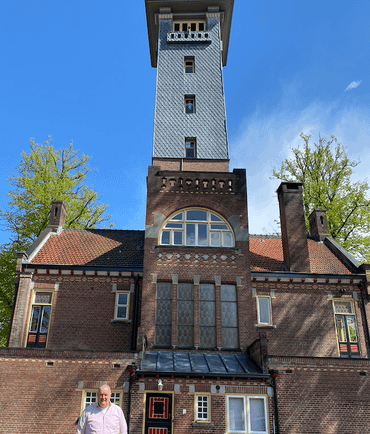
(323, 396)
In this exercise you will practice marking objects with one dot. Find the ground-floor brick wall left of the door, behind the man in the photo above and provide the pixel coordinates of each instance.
(45, 399)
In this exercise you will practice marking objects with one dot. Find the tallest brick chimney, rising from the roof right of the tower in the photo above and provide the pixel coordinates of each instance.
(293, 229)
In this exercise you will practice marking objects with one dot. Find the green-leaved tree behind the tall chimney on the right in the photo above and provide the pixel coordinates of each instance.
(325, 171)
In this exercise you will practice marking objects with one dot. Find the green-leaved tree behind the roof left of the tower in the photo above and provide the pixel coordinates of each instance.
(43, 175)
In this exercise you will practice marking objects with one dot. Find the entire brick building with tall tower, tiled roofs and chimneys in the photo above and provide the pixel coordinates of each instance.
(195, 324)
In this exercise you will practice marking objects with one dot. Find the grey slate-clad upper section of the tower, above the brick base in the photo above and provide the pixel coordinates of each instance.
(188, 45)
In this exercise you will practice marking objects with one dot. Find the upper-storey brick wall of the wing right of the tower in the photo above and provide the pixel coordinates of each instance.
(303, 318)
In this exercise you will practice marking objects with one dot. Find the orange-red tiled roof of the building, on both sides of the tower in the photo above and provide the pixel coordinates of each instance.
(124, 249)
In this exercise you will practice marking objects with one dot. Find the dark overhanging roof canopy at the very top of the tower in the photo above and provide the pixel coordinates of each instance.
(187, 8)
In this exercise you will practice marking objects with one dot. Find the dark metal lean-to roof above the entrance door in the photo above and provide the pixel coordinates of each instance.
(187, 363)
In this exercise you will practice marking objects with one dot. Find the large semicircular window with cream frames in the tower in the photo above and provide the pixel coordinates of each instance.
(196, 227)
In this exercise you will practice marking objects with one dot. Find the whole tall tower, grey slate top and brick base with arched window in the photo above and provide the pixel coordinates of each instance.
(196, 234)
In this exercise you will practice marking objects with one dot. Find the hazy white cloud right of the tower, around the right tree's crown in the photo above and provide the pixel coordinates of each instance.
(266, 140)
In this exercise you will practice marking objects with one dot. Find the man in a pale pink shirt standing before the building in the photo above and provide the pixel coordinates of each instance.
(102, 417)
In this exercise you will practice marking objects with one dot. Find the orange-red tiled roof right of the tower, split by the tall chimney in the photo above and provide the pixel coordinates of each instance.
(267, 255)
